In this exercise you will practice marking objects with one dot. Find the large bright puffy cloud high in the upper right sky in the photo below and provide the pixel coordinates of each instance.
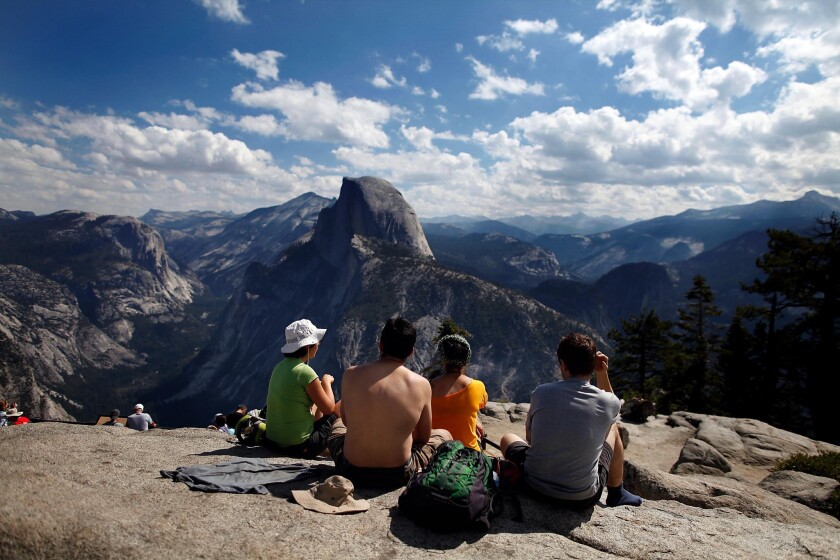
(666, 62)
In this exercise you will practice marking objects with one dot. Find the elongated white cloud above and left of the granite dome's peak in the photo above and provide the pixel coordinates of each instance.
(316, 113)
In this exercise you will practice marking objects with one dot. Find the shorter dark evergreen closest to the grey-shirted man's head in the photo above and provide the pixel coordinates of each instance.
(640, 353)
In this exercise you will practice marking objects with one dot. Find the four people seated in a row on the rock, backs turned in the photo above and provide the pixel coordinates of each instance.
(390, 420)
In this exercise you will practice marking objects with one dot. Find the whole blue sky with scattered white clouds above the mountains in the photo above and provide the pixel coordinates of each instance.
(476, 107)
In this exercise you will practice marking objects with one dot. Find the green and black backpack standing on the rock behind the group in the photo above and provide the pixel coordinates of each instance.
(456, 490)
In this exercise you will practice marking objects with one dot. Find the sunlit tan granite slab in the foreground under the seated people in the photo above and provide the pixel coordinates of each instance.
(110, 501)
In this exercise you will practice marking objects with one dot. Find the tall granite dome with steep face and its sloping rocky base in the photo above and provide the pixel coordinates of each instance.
(366, 259)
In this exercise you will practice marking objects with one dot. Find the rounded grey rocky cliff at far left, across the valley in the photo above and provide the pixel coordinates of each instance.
(85, 299)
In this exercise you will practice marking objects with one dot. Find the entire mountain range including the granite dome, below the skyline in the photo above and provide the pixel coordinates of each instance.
(185, 310)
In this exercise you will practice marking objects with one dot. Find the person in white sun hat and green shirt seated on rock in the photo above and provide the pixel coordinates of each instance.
(292, 425)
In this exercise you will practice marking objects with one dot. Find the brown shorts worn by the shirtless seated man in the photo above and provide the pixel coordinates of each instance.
(374, 477)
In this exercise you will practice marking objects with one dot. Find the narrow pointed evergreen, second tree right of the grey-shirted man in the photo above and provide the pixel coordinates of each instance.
(692, 382)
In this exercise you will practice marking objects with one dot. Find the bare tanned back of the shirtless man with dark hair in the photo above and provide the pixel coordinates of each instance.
(386, 407)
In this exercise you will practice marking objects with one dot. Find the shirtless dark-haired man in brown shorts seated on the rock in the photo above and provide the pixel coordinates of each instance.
(385, 432)
